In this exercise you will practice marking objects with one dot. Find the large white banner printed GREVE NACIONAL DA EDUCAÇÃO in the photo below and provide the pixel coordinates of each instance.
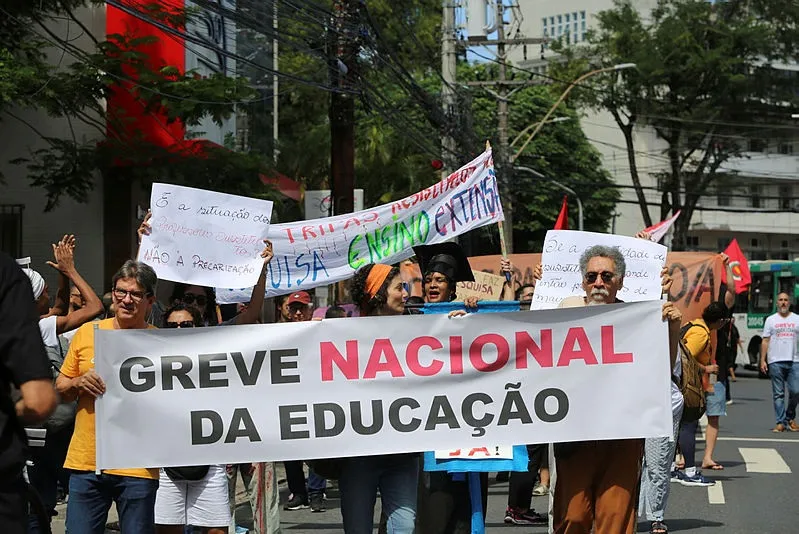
(378, 385)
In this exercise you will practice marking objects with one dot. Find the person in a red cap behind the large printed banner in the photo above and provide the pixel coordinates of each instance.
(302, 496)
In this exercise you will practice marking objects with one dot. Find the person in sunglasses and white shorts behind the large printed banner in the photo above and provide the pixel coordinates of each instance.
(196, 495)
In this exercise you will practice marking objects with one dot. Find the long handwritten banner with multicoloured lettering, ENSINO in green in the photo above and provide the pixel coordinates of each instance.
(324, 251)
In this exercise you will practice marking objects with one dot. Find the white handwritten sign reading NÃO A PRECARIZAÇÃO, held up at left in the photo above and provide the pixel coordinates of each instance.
(205, 238)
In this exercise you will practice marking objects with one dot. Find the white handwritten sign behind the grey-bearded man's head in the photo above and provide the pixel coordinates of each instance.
(562, 277)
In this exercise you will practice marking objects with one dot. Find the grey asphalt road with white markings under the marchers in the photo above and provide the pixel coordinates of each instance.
(756, 492)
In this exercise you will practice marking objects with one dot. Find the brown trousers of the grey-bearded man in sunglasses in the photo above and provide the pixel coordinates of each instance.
(596, 485)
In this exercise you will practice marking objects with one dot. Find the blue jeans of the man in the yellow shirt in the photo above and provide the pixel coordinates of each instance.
(90, 497)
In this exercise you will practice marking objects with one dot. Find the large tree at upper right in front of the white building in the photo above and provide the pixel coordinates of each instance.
(704, 76)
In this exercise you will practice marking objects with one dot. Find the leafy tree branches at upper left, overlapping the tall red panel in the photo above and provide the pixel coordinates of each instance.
(78, 89)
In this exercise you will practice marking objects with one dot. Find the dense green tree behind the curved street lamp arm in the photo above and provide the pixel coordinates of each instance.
(560, 151)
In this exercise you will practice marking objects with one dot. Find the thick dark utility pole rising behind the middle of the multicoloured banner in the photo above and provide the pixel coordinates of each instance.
(342, 108)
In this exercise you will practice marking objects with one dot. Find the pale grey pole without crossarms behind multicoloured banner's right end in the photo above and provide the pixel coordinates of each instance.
(449, 63)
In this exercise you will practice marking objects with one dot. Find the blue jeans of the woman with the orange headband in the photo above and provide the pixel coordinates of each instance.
(397, 478)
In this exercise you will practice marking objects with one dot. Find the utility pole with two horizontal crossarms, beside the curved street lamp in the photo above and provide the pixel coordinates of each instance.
(503, 94)
